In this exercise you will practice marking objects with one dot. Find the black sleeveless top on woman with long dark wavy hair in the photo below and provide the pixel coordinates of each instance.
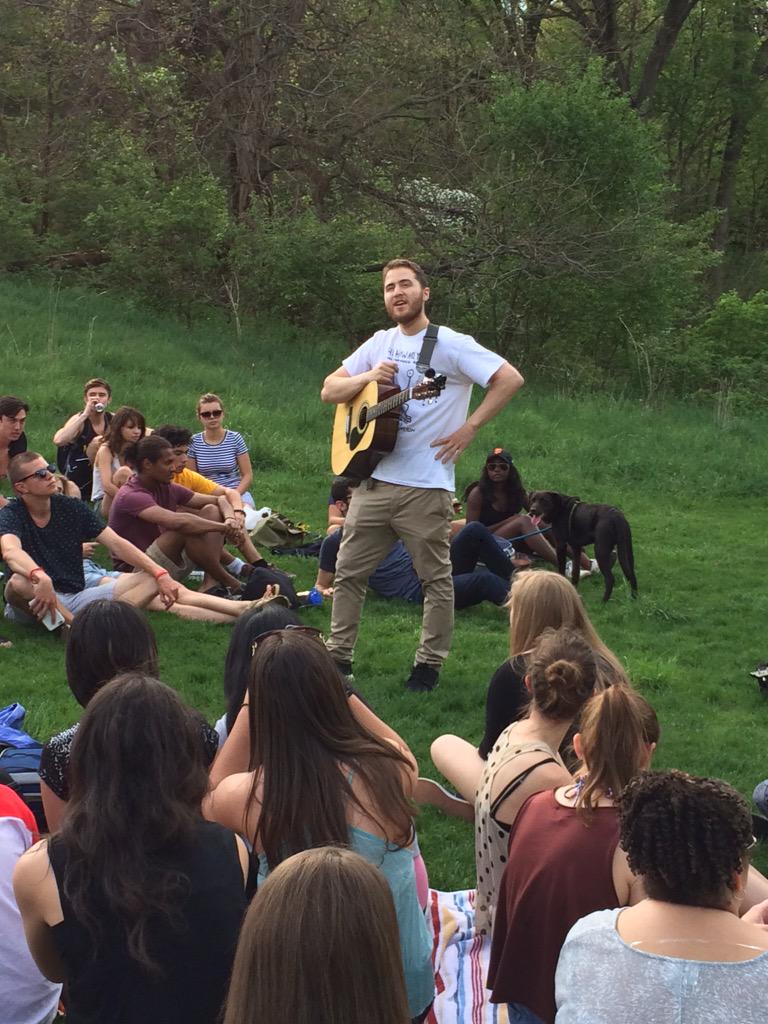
(195, 952)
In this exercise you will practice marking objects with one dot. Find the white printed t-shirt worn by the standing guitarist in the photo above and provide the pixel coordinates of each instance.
(463, 362)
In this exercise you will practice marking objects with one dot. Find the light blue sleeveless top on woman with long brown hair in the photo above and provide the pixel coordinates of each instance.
(397, 865)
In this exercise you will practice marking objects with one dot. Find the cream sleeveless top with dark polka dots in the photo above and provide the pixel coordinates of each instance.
(492, 838)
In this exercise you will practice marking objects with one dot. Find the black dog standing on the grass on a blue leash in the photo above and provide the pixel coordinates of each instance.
(576, 524)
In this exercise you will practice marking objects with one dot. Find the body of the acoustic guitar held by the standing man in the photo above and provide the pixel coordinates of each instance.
(358, 446)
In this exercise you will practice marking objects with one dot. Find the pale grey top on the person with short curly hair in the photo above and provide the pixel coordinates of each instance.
(603, 980)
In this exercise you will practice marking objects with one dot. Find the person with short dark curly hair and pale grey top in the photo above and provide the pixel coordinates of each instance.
(684, 954)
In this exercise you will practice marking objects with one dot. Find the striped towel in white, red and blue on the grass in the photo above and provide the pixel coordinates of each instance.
(461, 963)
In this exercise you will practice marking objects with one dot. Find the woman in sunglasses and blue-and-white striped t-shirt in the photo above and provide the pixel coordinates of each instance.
(220, 454)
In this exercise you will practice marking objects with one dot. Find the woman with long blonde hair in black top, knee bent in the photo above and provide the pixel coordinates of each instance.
(537, 602)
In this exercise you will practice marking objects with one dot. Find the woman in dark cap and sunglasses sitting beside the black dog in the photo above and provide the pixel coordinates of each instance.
(500, 501)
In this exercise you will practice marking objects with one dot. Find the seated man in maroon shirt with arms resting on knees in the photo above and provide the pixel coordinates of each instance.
(150, 511)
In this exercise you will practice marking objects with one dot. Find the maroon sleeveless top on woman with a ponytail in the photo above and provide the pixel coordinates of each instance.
(561, 869)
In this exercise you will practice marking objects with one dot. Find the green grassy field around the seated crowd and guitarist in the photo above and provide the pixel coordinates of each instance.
(695, 494)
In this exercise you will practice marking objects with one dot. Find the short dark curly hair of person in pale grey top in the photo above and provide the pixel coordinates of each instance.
(688, 837)
